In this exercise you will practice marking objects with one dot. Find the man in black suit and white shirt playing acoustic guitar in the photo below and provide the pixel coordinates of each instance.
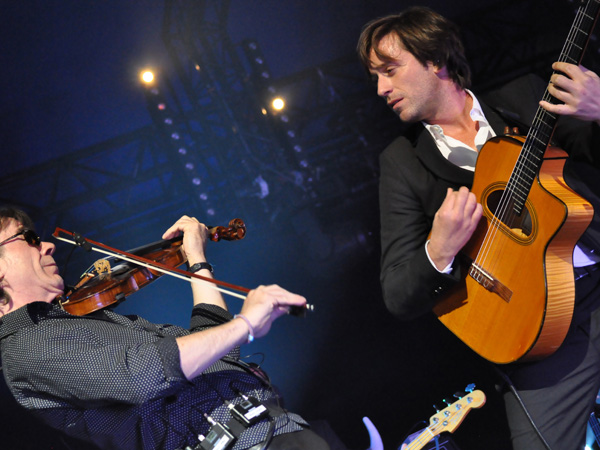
(417, 61)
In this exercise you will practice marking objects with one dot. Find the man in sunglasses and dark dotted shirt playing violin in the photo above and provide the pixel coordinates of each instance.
(123, 382)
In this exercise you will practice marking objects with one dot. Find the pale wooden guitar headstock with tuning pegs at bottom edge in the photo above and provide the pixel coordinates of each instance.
(448, 419)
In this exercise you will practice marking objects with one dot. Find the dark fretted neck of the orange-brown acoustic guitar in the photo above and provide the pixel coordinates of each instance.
(542, 128)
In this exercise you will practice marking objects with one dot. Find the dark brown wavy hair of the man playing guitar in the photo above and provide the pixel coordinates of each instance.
(429, 36)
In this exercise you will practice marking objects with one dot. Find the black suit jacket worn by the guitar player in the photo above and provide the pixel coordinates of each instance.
(414, 180)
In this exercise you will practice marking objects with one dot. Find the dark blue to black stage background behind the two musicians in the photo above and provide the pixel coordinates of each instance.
(87, 148)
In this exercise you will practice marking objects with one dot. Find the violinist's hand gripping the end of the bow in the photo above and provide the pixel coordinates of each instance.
(266, 303)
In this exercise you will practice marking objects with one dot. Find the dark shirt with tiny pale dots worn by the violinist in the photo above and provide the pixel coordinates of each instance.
(116, 380)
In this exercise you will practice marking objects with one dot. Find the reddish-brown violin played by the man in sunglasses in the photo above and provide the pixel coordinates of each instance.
(106, 286)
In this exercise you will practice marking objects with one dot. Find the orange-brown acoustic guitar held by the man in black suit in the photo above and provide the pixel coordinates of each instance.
(516, 297)
